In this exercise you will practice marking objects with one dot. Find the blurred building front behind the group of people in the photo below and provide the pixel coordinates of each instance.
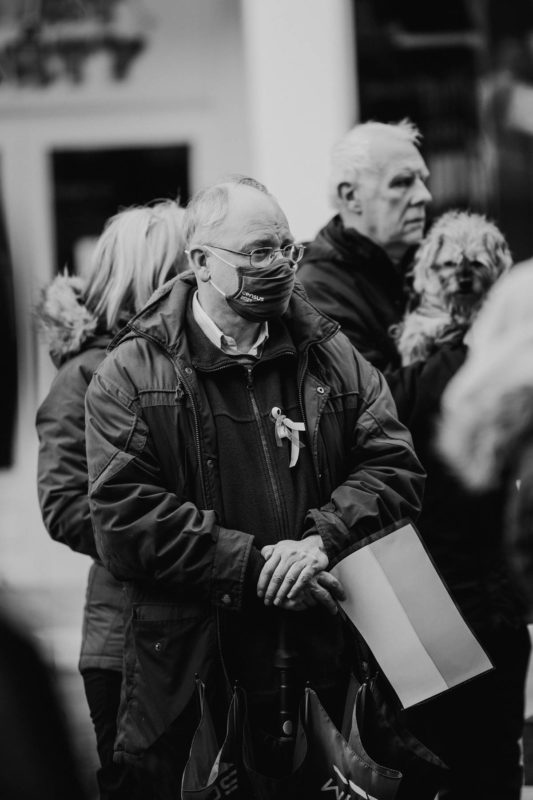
(106, 103)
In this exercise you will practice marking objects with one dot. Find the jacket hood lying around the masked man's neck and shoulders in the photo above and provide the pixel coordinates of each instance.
(163, 318)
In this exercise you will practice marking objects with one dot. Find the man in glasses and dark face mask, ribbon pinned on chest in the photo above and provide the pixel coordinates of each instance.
(237, 444)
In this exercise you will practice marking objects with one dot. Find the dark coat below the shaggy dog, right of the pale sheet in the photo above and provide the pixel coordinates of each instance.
(463, 531)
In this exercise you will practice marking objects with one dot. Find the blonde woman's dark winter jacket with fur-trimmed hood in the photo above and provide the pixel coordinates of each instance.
(77, 349)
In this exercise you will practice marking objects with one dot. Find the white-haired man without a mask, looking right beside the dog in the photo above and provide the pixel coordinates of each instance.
(354, 270)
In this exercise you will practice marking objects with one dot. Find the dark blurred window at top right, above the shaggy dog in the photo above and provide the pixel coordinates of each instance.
(459, 70)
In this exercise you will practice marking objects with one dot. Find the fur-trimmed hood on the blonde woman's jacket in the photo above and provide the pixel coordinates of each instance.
(64, 320)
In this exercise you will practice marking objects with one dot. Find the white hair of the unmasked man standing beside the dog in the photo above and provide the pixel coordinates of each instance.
(351, 155)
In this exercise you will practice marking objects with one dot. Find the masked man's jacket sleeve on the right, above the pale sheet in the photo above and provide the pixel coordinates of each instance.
(385, 478)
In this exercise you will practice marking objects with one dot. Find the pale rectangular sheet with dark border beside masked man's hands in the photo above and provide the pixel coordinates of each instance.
(399, 604)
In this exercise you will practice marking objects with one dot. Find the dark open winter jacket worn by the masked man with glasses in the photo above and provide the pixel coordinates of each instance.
(155, 488)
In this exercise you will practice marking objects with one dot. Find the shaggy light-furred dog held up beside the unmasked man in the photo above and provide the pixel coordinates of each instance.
(455, 266)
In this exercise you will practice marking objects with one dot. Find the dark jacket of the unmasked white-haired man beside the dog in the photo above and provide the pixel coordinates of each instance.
(353, 280)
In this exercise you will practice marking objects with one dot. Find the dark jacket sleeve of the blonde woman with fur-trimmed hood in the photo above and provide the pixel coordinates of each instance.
(62, 463)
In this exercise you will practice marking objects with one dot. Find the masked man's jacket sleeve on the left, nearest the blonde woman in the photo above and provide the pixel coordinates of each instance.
(145, 530)
